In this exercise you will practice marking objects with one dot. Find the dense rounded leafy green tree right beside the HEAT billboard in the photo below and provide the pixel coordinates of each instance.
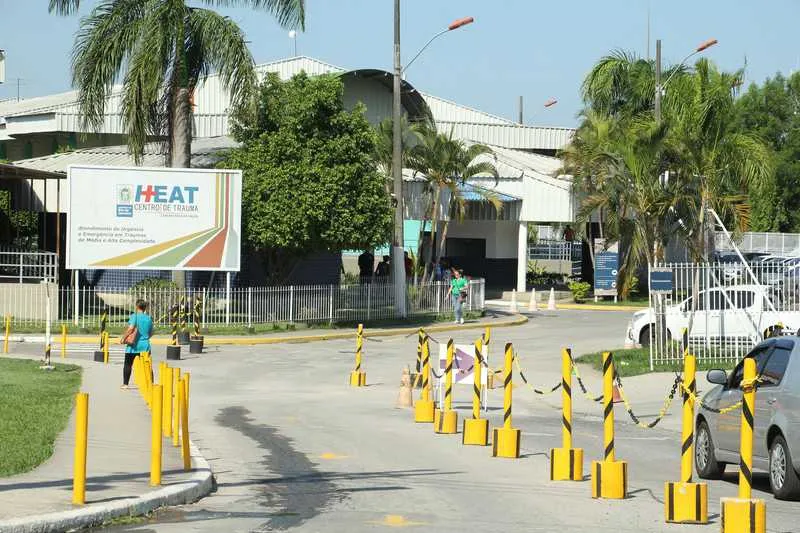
(310, 178)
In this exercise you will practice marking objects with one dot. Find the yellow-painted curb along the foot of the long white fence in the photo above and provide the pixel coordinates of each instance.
(516, 320)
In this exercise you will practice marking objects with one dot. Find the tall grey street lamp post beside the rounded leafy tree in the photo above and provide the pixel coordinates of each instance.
(398, 258)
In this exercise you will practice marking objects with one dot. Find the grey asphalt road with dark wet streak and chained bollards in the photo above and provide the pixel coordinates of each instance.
(295, 449)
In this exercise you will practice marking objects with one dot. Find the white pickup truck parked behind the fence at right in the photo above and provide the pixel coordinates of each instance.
(732, 312)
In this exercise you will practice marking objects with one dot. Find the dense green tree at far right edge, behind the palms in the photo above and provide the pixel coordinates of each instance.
(772, 112)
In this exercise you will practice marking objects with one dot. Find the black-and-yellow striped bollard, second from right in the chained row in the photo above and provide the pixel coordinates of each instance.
(686, 502)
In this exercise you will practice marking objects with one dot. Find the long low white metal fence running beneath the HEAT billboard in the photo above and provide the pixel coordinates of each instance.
(250, 306)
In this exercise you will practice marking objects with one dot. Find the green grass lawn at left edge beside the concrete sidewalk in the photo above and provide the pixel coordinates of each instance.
(34, 408)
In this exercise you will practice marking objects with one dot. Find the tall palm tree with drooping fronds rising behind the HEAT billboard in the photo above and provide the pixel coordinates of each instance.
(162, 49)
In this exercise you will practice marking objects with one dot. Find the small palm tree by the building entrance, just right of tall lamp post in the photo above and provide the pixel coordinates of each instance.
(446, 164)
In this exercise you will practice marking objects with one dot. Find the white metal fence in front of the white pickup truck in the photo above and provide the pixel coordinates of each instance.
(737, 306)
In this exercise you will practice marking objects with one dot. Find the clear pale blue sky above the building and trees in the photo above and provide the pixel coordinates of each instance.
(516, 47)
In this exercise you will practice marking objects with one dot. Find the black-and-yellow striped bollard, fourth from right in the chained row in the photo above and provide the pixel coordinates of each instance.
(566, 463)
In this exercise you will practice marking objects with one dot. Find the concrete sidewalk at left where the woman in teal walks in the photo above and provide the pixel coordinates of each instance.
(118, 462)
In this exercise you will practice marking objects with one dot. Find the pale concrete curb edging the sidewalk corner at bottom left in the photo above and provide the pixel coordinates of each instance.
(199, 485)
